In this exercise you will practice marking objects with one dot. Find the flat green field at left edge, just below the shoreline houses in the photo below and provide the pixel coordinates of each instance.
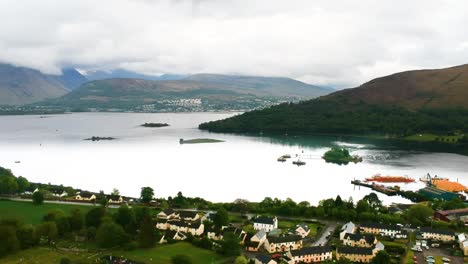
(32, 214)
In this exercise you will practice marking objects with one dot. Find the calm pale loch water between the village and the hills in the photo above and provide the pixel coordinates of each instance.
(52, 150)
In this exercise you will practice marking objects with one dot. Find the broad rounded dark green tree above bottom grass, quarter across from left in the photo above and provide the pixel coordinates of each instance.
(111, 235)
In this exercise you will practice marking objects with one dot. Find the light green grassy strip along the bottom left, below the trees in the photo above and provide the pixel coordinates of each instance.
(158, 255)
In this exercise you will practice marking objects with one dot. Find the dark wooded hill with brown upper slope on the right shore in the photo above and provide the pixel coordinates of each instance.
(397, 105)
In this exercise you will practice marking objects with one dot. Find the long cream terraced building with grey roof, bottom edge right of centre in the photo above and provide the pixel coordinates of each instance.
(310, 255)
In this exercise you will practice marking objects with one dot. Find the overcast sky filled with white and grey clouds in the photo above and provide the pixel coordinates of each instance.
(338, 43)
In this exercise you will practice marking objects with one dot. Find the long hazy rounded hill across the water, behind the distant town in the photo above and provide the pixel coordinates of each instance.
(212, 89)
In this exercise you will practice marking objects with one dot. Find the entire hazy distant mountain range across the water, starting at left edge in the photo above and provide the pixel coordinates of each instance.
(103, 89)
